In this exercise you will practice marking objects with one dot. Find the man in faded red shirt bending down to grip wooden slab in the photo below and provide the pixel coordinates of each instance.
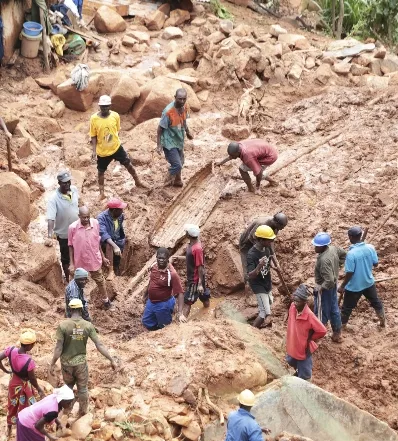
(256, 156)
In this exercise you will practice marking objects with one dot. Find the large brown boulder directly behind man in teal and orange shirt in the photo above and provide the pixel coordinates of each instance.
(157, 94)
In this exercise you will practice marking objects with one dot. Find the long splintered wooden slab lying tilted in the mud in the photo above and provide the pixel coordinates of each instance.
(192, 206)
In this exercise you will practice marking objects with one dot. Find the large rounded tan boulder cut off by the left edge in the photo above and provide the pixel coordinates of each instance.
(15, 199)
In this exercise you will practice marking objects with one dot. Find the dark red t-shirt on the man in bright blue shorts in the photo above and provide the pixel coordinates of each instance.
(163, 284)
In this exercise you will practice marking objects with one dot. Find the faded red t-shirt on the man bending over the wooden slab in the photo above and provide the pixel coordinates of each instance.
(256, 152)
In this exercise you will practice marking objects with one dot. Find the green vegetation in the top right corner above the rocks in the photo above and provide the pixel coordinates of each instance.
(365, 18)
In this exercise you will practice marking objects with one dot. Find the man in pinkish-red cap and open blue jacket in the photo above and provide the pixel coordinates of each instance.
(112, 234)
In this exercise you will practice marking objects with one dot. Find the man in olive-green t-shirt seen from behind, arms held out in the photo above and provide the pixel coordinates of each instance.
(72, 335)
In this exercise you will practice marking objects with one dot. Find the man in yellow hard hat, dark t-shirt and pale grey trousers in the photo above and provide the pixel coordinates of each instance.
(259, 271)
